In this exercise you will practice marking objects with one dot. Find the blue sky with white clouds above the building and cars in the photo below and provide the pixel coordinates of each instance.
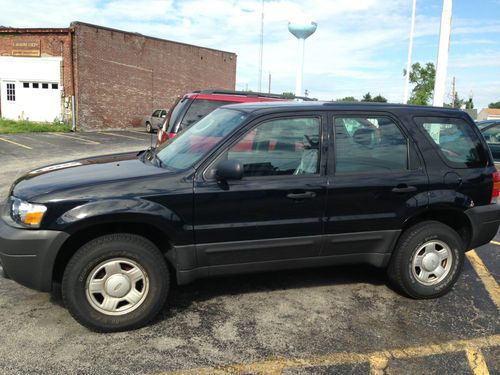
(360, 45)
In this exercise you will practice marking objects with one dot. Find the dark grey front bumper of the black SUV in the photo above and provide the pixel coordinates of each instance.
(27, 256)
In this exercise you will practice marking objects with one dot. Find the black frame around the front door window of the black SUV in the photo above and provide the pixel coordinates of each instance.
(214, 158)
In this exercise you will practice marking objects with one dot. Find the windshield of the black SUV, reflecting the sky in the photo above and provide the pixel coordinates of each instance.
(196, 141)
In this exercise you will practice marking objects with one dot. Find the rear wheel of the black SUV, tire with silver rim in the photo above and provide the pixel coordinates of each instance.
(408, 277)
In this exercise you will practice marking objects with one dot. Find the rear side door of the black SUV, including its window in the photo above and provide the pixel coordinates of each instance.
(376, 181)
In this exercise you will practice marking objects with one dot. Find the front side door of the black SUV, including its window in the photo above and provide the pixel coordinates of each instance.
(275, 212)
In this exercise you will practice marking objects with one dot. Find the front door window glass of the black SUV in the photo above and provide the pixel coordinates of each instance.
(279, 147)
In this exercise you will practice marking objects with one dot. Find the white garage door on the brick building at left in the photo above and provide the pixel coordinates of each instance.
(30, 88)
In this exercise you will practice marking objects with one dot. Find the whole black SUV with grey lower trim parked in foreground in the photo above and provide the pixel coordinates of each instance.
(256, 187)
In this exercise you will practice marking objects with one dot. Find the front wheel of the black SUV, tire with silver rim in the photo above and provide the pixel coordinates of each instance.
(130, 253)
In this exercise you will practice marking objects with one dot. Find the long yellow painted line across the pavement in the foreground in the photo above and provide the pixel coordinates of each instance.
(274, 366)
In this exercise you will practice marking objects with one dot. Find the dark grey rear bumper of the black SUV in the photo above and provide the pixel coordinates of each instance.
(485, 221)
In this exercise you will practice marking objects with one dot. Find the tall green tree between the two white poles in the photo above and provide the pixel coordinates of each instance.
(423, 78)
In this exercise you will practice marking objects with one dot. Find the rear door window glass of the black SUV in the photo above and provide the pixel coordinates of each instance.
(369, 144)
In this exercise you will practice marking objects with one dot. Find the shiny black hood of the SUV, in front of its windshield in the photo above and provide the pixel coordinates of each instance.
(85, 175)
